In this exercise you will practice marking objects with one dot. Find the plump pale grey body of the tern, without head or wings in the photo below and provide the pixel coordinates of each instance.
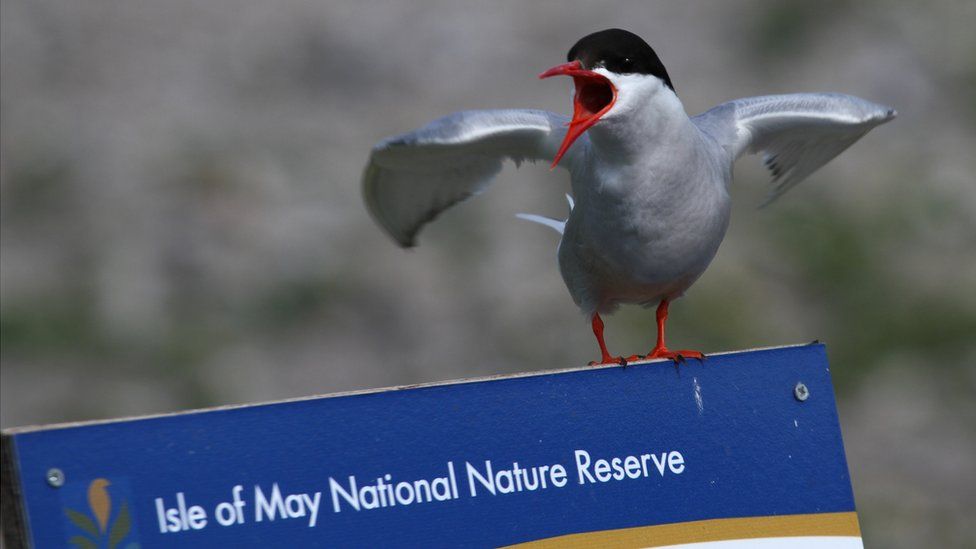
(653, 207)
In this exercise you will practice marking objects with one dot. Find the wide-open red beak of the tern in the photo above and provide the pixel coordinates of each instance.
(595, 95)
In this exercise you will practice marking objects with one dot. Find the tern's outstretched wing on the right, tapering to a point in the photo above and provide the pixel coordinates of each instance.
(796, 134)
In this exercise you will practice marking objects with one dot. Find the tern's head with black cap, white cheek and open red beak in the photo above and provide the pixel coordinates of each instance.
(614, 71)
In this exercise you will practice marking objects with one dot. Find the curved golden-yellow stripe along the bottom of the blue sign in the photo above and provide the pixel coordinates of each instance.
(819, 524)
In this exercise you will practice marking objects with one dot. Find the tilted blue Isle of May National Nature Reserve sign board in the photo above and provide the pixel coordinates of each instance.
(741, 447)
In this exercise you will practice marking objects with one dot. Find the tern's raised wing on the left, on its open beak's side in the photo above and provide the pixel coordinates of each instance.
(413, 177)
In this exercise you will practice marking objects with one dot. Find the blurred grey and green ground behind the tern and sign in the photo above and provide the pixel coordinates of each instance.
(182, 223)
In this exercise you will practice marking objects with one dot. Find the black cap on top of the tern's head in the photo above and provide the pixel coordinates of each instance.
(618, 51)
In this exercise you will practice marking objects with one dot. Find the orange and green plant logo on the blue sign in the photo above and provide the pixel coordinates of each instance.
(98, 517)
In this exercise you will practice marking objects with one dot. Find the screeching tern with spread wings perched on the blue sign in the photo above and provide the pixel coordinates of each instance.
(650, 182)
